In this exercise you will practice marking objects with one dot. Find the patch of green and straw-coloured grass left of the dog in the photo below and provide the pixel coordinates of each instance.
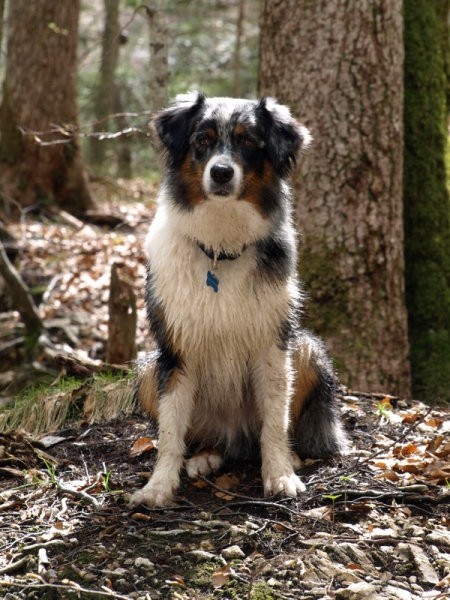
(45, 407)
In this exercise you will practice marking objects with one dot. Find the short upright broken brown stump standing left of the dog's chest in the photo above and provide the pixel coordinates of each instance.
(121, 346)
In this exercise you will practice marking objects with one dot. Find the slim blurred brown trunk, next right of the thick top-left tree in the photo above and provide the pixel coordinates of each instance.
(105, 93)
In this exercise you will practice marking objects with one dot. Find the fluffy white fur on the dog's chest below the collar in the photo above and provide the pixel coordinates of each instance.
(228, 327)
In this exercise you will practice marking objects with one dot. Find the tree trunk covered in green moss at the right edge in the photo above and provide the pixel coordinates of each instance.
(426, 199)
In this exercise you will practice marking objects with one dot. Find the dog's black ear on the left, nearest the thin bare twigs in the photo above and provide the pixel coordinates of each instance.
(174, 124)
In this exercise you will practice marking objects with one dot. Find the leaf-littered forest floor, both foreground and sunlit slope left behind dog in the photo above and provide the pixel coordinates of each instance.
(373, 524)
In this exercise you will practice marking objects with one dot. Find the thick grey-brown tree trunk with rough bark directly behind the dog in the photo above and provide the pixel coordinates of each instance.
(339, 65)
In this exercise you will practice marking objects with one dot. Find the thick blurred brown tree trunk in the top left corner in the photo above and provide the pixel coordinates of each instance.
(39, 95)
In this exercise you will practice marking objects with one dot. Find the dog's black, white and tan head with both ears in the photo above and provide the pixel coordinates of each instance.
(224, 148)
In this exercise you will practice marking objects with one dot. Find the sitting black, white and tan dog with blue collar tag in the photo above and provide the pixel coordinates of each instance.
(233, 372)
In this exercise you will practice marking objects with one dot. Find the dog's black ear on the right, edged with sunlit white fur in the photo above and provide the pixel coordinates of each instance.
(284, 137)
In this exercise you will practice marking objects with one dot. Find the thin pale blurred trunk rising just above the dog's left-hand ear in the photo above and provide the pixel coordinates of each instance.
(159, 58)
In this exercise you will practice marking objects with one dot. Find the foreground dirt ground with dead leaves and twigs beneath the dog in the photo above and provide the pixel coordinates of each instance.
(374, 524)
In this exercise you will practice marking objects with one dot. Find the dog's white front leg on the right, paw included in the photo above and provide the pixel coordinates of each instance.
(272, 385)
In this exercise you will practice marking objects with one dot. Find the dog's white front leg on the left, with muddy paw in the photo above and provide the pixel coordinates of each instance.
(175, 410)
